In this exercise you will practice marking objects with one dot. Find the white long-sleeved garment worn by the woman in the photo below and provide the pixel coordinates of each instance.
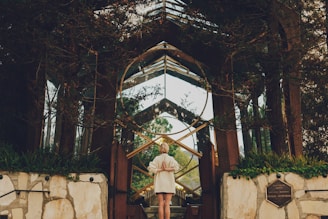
(164, 181)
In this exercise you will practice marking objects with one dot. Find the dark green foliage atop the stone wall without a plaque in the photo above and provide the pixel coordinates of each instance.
(45, 161)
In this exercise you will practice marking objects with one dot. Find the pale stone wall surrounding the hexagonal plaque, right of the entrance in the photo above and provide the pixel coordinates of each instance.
(247, 199)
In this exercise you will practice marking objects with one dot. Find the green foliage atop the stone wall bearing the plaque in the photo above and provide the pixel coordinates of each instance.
(257, 164)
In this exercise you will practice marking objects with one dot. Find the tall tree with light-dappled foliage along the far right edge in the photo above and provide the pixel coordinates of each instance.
(314, 85)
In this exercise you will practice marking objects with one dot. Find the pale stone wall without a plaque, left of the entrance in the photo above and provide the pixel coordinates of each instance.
(32, 196)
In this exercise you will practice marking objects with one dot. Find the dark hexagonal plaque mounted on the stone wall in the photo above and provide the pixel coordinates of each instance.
(279, 193)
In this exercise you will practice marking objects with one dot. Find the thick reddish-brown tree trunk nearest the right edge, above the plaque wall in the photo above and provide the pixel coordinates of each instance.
(290, 22)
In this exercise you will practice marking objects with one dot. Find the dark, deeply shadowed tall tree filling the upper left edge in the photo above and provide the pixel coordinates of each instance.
(22, 74)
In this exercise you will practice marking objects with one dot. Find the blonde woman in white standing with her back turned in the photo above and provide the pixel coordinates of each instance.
(164, 166)
